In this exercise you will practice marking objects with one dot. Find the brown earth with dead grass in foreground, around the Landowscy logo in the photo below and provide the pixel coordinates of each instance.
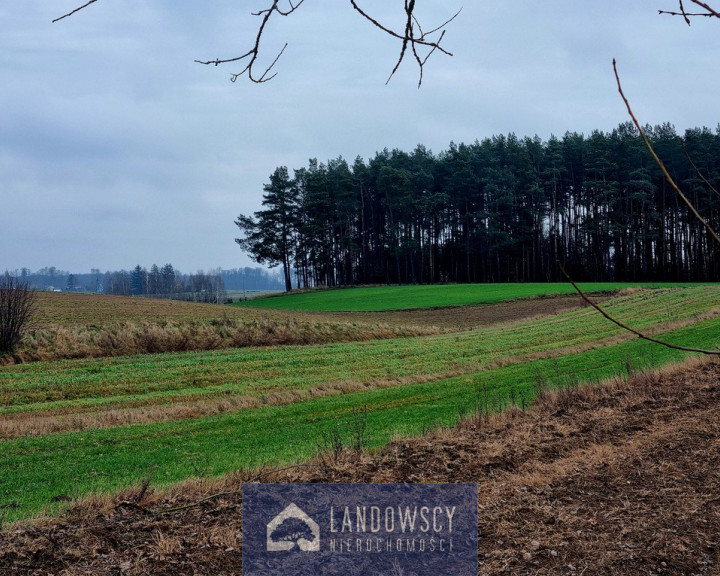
(618, 479)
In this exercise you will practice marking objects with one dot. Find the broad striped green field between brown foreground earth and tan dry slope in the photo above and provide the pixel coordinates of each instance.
(281, 404)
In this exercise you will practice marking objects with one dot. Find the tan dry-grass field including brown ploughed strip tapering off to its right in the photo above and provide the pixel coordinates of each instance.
(68, 326)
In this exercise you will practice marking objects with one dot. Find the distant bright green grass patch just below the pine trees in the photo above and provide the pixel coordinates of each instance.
(378, 298)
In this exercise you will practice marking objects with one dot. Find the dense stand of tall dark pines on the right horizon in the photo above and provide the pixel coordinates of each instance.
(503, 209)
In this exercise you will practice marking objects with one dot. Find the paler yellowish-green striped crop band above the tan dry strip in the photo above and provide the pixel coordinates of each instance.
(259, 372)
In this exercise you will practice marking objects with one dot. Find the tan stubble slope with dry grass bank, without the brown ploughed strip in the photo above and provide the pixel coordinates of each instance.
(70, 326)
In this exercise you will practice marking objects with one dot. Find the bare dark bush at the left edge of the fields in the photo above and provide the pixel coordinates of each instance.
(17, 304)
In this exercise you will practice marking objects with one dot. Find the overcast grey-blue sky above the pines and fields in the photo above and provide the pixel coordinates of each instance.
(117, 149)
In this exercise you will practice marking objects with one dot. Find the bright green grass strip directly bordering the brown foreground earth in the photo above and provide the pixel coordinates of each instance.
(34, 470)
